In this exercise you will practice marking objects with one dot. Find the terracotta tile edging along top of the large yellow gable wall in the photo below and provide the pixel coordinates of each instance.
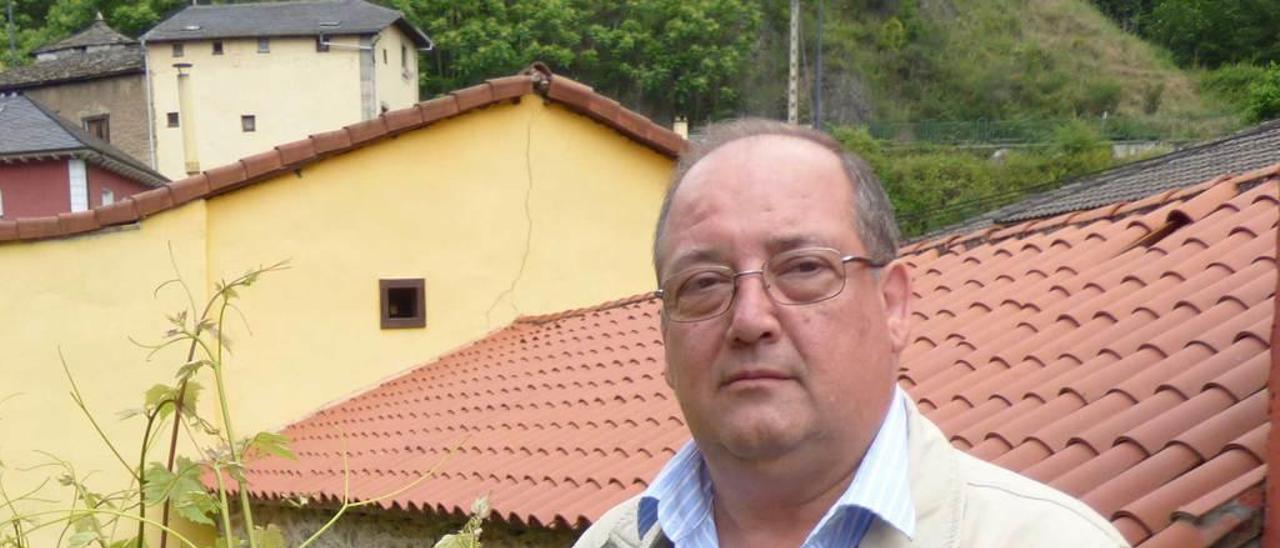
(299, 154)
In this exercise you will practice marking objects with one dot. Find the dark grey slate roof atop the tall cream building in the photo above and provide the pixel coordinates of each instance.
(284, 19)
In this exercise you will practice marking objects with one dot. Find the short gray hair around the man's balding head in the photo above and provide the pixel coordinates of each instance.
(874, 214)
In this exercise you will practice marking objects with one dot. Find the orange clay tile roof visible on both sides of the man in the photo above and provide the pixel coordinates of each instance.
(1121, 355)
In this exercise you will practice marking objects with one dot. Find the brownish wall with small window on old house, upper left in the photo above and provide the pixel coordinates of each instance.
(122, 98)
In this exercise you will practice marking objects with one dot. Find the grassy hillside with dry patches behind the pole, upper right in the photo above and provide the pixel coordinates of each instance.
(912, 61)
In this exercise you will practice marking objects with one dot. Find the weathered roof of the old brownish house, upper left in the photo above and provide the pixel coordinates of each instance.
(74, 68)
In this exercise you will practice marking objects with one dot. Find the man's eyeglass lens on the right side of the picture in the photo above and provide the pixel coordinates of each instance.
(806, 276)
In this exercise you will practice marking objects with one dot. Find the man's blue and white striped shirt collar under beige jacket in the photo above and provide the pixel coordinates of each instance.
(680, 499)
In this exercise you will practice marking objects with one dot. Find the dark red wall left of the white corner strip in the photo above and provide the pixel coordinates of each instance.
(35, 189)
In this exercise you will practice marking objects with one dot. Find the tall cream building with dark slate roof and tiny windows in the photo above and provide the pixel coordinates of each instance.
(227, 81)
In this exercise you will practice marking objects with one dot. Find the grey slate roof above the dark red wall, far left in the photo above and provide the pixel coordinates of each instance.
(30, 131)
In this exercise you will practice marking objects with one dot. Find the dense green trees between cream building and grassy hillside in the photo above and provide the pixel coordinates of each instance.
(666, 57)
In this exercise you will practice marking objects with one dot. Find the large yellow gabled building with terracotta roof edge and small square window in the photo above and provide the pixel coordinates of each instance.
(524, 195)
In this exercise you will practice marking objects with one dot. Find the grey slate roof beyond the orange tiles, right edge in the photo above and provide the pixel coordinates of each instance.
(1240, 153)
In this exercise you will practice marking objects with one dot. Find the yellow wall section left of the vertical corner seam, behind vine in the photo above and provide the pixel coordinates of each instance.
(88, 296)
